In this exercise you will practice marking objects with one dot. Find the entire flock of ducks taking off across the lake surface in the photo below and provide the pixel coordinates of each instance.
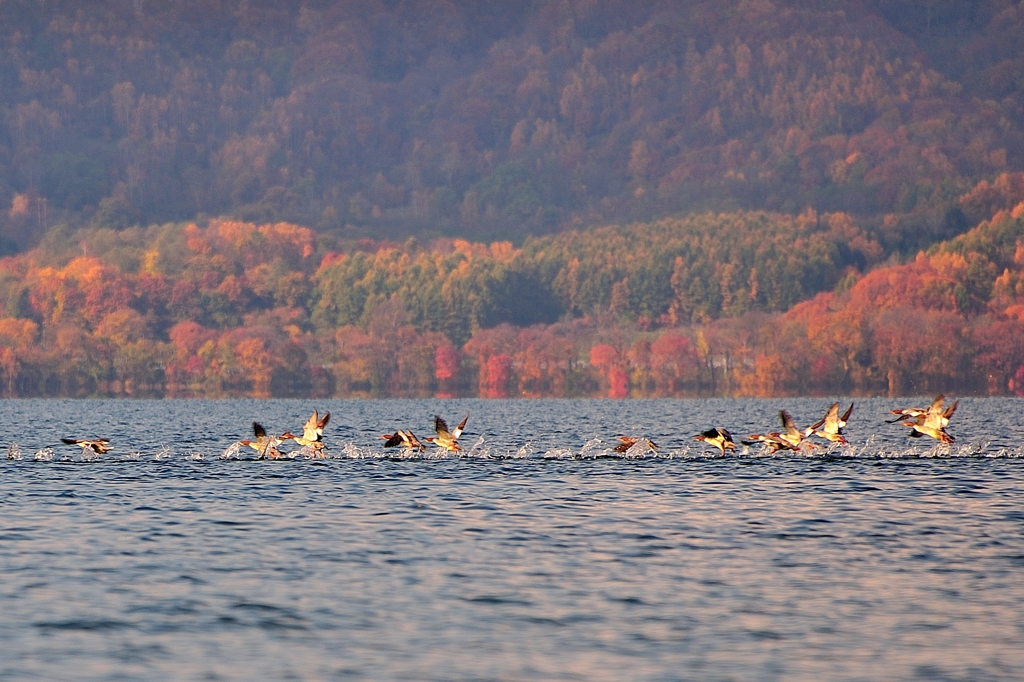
(931, 421)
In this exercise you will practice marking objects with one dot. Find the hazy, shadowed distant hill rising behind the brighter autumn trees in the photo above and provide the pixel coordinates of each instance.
(493, 120)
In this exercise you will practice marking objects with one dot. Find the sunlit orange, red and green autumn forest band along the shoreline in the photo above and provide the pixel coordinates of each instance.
(735, 304)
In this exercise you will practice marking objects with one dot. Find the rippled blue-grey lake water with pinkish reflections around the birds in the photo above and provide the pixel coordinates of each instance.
(538, 553)
